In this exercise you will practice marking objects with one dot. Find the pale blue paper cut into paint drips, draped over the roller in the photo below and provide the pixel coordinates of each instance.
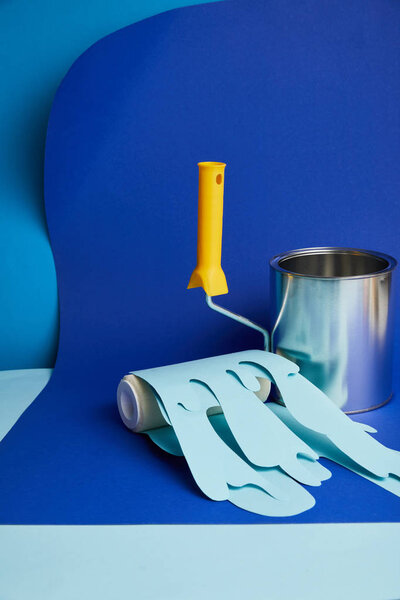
(257, 454)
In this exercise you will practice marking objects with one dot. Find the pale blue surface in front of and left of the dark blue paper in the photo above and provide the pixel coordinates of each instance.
(189, 562)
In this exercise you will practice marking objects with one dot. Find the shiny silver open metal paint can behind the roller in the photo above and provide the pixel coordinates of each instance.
(332, 311)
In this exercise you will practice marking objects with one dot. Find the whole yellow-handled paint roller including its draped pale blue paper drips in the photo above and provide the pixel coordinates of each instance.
(275, 460)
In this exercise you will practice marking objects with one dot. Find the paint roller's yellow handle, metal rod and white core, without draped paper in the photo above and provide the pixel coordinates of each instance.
(137, 401)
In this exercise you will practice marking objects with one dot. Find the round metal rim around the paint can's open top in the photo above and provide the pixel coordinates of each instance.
(275, 261)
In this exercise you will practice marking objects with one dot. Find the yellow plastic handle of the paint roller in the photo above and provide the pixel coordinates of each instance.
(208, 273)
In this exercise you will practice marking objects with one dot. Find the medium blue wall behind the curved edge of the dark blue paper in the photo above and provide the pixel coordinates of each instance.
(39, 40)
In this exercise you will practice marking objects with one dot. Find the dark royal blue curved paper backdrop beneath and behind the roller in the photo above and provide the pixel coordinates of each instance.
(301, 101)
